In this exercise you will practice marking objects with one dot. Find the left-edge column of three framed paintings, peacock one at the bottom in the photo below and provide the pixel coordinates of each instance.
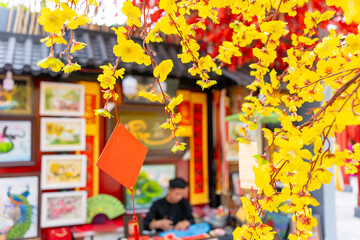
(19, 193)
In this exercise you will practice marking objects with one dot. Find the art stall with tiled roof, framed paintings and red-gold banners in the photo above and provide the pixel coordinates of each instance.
(51, 141)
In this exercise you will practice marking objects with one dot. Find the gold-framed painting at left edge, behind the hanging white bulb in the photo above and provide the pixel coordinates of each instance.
(15, 95)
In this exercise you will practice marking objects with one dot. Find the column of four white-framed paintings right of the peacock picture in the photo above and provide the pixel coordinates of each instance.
(62, 130)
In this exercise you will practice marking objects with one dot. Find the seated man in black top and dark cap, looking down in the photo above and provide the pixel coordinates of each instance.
(171, 212)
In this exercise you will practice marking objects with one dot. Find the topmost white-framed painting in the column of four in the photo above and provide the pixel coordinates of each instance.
(61, 99)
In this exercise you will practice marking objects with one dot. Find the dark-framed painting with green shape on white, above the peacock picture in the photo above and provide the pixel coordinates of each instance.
(17, 141)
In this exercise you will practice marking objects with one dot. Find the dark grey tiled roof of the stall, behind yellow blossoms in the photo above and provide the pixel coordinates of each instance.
(20, 53)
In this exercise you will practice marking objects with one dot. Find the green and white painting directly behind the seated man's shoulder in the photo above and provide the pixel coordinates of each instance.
(151, 185)
